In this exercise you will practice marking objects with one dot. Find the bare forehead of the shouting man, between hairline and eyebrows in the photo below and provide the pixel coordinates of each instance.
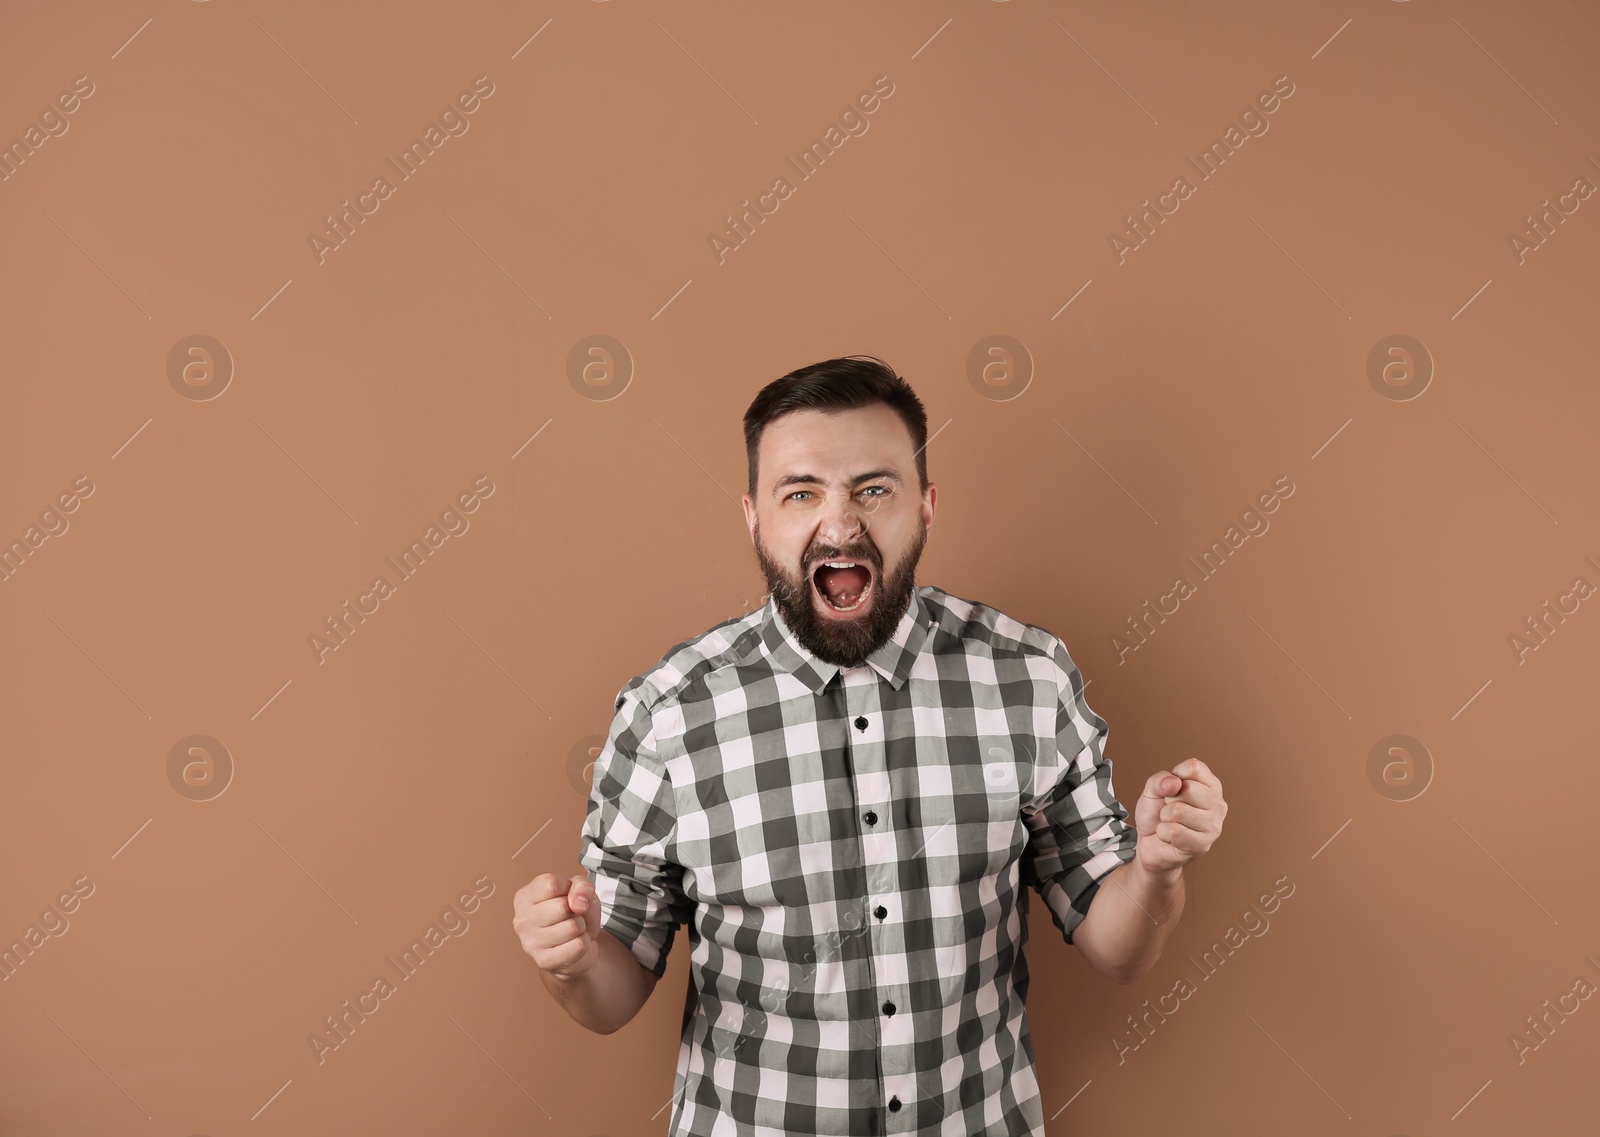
(836, 444)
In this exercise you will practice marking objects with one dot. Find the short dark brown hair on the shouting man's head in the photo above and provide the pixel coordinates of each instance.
(841, 385)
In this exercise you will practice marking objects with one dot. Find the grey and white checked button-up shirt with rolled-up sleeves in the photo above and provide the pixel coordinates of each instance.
(847, 847)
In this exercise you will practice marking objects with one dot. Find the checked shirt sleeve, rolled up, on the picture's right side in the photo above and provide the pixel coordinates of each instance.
(1079, 832)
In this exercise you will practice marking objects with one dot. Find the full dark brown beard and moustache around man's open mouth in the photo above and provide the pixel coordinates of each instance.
(844, 642)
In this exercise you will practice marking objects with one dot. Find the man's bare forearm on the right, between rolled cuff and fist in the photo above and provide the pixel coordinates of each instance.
(1129, 922)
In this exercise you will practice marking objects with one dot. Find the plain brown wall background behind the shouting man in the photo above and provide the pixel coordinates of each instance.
(446, 741)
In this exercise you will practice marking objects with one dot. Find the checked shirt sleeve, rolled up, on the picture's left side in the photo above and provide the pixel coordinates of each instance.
(628, 837)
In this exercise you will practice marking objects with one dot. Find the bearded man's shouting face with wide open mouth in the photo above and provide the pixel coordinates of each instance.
(815, 505)
